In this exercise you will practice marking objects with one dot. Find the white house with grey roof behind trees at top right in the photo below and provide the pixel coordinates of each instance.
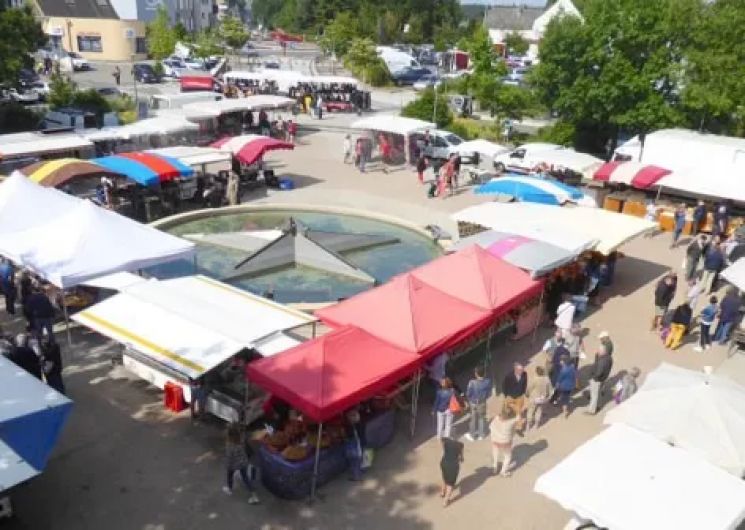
(526, 18)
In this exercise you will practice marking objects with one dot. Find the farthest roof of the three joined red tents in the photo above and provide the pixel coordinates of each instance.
(474, 275)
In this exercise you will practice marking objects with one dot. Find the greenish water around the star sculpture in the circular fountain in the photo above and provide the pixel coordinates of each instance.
(303, 284)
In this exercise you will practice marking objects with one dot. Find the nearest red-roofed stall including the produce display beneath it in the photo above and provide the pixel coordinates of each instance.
(323, 378)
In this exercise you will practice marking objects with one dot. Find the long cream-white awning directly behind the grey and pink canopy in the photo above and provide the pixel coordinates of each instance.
(571, 228)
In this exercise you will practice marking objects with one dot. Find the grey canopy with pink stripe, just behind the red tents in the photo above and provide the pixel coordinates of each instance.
(537, 257)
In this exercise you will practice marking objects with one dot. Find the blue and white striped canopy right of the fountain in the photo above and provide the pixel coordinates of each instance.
(533, 189)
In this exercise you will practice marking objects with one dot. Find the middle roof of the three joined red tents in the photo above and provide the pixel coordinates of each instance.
(409, 313)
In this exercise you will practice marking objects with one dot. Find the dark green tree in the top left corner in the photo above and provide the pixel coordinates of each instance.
(20, 35)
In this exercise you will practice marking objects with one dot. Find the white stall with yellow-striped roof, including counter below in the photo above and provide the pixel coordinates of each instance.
(195, 327)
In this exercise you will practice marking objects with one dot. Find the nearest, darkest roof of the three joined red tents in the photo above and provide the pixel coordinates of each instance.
(325, 376)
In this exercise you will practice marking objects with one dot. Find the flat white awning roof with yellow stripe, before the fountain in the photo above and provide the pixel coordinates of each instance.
(192, 324)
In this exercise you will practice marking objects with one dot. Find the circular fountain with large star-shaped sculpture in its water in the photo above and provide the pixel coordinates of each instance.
(300, 254)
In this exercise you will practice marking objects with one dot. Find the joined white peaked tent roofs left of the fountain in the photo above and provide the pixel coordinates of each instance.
(68, 240)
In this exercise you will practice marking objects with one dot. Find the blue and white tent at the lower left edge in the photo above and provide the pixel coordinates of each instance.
(31, 418)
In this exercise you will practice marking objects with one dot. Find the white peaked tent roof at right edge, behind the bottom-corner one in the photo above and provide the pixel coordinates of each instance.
(701, 413)
